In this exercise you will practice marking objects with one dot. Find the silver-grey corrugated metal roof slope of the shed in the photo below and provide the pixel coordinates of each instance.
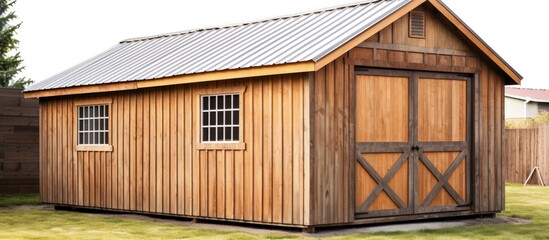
(292, 39)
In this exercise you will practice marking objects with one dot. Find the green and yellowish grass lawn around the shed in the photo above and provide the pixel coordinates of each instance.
(526, 202)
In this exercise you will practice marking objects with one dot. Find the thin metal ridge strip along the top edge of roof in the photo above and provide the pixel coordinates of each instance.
(327, 9)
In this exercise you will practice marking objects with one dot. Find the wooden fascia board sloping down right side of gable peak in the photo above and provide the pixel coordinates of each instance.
(475, 39)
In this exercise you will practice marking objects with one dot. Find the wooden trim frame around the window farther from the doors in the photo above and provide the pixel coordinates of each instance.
(92, 147)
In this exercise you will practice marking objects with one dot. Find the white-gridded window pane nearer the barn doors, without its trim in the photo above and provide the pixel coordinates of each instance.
(220, 118)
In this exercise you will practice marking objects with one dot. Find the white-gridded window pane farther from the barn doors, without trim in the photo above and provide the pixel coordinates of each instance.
(93, 125)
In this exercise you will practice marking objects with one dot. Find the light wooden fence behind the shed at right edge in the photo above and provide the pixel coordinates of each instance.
(525, 149)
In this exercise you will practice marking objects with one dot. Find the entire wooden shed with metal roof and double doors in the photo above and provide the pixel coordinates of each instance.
(373, 112)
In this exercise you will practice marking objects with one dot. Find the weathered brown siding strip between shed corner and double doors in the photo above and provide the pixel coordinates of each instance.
(332, 145)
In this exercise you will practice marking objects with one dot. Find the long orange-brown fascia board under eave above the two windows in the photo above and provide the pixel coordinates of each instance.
(182, 79)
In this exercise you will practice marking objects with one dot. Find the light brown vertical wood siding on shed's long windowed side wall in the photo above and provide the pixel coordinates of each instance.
(155, 166)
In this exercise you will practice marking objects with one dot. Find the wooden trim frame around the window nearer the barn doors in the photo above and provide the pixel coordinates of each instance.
(237, 145)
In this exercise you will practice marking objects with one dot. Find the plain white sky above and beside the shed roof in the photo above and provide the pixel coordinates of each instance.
(58, 34)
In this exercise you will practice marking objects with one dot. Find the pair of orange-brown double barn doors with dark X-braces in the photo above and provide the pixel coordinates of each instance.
(412, 151)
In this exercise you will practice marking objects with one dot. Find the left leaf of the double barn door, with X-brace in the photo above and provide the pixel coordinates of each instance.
(383, 146)
